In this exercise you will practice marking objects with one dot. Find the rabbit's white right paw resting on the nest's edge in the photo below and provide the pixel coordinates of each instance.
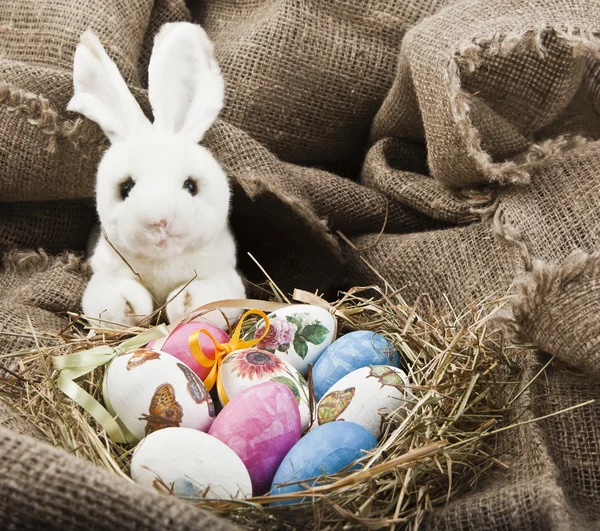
(200, 292)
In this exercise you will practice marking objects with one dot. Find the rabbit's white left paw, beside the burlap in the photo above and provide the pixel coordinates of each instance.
(116, 301)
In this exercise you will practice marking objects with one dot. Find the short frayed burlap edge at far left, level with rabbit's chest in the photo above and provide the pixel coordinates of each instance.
(30, 262)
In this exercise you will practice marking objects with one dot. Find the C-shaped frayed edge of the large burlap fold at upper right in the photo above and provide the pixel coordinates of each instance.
(471, 55)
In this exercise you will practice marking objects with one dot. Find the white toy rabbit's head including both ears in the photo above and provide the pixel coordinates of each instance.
(158, 192)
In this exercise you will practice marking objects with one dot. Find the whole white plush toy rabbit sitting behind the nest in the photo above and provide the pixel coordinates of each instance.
(162, 199)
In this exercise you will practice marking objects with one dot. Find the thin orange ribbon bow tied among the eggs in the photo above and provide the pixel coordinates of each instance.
(222, 350)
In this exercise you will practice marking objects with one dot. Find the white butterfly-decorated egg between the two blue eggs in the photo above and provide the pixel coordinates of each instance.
(364, 397)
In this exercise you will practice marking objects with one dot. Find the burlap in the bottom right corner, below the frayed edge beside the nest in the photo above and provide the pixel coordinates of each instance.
(550, 468)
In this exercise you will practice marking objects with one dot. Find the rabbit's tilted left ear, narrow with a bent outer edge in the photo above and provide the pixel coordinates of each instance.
(101, 94)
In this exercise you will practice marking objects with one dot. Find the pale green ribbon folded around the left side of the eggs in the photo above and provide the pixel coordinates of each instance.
(72, 366)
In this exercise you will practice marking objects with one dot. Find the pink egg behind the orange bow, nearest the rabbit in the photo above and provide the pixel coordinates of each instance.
(177, 343)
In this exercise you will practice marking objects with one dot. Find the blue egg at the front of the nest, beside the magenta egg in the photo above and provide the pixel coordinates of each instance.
(323, 451)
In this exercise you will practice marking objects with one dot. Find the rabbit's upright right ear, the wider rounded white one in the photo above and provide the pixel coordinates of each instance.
(185, 86)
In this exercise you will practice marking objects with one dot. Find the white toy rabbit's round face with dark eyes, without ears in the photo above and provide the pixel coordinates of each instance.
(159, 195)
